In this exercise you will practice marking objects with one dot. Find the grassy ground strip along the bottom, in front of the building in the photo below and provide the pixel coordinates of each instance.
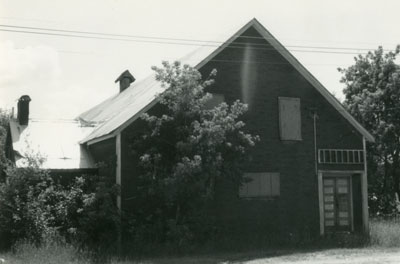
(383, 245)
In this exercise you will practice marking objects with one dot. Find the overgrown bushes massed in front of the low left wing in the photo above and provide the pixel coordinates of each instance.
(33, 208)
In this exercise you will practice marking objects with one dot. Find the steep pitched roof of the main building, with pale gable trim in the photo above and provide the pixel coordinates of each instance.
(117, 112)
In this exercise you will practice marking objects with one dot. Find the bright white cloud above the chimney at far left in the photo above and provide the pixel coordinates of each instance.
(32, 70)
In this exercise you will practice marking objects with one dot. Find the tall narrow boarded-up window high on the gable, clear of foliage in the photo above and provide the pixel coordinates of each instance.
(289, 118)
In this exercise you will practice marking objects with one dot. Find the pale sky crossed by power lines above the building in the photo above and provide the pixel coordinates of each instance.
(65, 76)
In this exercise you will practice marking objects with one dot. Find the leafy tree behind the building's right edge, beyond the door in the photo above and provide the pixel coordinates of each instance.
(372, 95)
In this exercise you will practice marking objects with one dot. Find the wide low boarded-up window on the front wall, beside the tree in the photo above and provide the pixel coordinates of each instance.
(263, 184)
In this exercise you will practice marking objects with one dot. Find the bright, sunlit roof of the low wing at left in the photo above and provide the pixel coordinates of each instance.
(56, 141)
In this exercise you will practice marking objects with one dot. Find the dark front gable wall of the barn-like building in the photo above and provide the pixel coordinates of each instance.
(258, 75)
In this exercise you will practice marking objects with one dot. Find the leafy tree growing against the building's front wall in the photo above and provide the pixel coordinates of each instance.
(185, 152)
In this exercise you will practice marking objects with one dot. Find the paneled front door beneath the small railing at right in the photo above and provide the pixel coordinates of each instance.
(337, 204)
